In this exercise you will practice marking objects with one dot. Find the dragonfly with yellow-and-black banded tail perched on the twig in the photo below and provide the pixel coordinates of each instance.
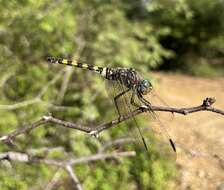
(129, 81)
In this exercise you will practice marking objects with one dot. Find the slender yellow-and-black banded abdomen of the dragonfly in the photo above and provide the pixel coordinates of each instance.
(78, 64)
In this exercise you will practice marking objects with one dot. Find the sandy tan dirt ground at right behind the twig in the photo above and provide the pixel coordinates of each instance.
(201, 133)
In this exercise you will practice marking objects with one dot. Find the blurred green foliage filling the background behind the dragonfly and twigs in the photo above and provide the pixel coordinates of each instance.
(177, 36)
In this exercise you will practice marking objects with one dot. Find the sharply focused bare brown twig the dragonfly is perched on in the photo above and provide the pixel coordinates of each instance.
(205, 106)
